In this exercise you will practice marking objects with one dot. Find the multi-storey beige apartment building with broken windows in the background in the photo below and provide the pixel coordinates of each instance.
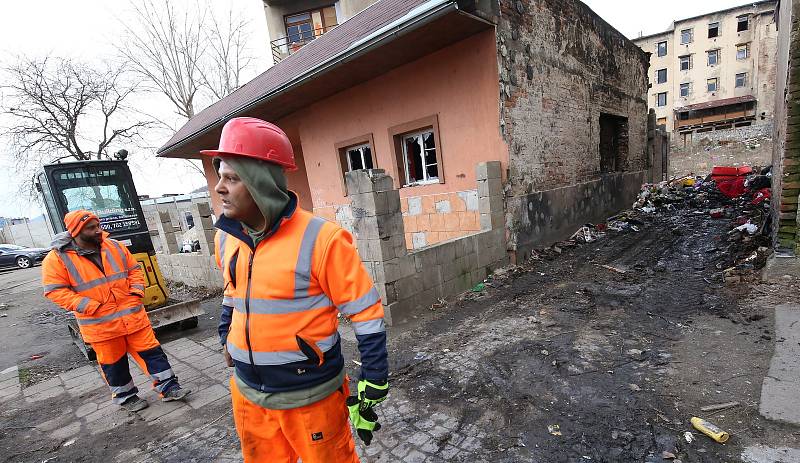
(715, 71)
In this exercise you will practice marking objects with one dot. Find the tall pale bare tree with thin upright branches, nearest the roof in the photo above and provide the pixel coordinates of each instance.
(181, 54)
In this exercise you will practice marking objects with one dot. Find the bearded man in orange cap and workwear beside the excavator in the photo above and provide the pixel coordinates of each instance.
(97, 279)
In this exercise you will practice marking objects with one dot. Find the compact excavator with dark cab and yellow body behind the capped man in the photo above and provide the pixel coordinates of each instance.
(106, 188)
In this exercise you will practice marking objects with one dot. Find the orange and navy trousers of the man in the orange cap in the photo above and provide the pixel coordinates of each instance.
(144, 348)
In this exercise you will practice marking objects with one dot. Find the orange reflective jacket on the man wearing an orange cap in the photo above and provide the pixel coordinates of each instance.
(108, 303)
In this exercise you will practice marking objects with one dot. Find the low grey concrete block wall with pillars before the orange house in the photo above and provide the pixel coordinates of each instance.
(411, 280)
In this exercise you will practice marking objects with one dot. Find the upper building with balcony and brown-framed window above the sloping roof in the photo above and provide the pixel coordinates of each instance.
(294, 23)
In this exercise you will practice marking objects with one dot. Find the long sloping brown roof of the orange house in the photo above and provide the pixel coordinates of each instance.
(294, 67)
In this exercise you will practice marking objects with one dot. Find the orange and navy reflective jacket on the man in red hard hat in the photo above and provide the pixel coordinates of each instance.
(282, 299)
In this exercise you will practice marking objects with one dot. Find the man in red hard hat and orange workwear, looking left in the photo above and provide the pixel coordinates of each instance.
(288, 275)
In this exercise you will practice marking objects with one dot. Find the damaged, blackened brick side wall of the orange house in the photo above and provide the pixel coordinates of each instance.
(561, 66)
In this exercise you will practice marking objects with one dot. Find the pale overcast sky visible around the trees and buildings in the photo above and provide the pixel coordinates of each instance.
(86, 29)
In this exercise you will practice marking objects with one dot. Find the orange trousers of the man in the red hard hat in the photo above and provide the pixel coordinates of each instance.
(317, 433)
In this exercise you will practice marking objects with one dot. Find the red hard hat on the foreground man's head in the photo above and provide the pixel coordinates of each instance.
(254, 138)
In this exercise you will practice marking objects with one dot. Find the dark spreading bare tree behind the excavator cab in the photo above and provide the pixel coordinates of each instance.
(60, 109)
